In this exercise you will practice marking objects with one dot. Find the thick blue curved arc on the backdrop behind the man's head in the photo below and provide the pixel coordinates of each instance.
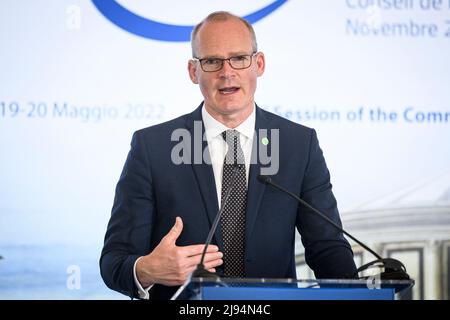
(155, 30)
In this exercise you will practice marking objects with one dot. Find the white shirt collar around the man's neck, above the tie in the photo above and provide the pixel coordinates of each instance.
(213, 128)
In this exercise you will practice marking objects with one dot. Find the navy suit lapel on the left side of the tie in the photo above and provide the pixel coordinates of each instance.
(204, 172)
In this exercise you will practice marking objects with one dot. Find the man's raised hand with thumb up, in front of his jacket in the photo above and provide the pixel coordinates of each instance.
(170, 265)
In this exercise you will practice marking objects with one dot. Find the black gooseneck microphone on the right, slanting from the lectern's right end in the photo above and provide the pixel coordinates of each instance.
(393, 269)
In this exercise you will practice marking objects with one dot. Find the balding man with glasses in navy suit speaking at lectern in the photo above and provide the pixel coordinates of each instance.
(167, 196)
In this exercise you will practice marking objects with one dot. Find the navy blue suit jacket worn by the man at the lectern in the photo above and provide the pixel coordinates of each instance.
(152, 191)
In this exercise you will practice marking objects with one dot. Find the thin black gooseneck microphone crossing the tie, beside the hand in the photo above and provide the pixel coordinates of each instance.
(200, 271)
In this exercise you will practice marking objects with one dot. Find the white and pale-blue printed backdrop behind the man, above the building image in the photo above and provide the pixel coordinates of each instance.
(77, 78)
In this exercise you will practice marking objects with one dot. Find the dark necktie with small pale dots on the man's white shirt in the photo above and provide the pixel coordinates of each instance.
(233, 216)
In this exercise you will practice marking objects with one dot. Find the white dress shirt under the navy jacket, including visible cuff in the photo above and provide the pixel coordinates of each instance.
(217, 149)
